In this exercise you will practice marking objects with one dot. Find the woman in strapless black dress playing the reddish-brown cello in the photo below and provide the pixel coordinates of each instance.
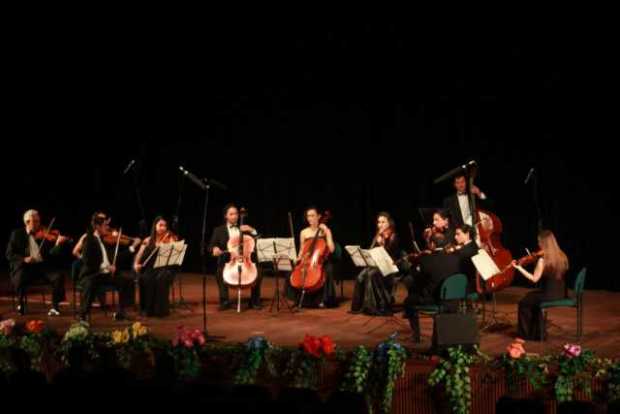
(325, 296)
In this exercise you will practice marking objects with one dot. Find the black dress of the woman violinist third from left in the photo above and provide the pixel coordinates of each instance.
(155, 286)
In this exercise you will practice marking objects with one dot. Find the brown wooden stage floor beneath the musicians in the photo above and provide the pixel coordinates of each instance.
(601, 320)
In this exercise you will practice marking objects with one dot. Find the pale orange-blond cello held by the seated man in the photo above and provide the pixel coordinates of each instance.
(240, 271)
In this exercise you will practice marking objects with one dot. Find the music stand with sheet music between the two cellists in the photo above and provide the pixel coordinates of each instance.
(281, 253)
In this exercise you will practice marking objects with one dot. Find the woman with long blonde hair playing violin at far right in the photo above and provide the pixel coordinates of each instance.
(551, 267)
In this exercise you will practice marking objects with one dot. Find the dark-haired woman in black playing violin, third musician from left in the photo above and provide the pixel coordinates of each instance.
(155, 283)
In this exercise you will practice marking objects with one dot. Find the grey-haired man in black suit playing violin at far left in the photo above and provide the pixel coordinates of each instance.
(28, 253)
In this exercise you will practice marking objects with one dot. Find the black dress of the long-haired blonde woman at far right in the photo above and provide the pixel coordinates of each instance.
(529, 307)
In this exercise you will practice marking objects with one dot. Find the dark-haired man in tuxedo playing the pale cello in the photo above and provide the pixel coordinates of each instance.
(218, 248)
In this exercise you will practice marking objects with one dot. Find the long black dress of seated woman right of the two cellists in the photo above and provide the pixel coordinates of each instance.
(372, 293)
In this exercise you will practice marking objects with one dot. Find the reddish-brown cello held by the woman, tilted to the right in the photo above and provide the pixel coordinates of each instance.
(309, 274)
